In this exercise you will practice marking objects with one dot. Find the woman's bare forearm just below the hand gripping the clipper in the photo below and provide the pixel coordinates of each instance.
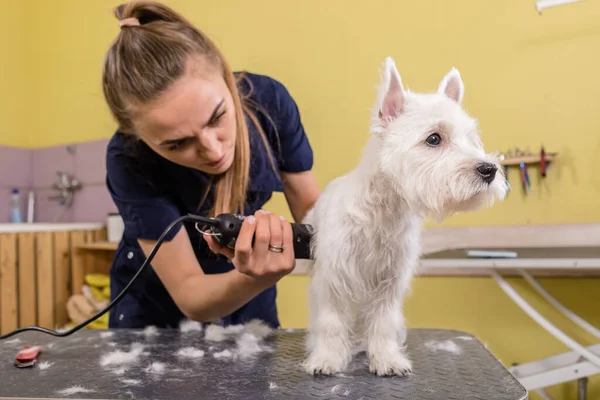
(210, 297)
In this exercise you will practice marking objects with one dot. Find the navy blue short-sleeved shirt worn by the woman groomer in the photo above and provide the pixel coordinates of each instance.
(150, 192)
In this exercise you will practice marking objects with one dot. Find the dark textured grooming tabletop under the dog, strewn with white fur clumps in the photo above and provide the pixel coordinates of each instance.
(438, 374)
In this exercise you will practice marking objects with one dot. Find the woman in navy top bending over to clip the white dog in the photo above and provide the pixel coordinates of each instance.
(193, 137)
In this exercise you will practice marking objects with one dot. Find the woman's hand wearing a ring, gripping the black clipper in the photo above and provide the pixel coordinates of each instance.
(271, 257)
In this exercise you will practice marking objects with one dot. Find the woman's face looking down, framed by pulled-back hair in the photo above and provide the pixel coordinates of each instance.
(192, 123)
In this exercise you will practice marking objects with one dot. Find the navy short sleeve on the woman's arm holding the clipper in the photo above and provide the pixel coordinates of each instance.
(146, 211)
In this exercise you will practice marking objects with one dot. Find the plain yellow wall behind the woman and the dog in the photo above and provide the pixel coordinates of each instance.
(529, 80)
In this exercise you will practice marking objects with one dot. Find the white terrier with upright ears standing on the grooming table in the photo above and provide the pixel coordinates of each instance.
(368, 223)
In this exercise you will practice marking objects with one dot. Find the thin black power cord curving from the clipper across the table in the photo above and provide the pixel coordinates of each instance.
(189, 217)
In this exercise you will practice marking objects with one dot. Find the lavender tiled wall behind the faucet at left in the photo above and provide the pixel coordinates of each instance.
(36, 170)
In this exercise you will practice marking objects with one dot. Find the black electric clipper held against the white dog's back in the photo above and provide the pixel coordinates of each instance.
(225, 228)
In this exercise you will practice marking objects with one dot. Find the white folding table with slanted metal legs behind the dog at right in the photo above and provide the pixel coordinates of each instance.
(578, 364)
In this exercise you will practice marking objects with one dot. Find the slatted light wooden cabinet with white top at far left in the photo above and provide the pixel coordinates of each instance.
(41, 266)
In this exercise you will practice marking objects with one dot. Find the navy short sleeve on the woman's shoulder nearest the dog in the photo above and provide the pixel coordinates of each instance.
(296, 152)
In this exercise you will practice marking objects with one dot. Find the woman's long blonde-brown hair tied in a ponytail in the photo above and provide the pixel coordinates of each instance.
(151, 53)
